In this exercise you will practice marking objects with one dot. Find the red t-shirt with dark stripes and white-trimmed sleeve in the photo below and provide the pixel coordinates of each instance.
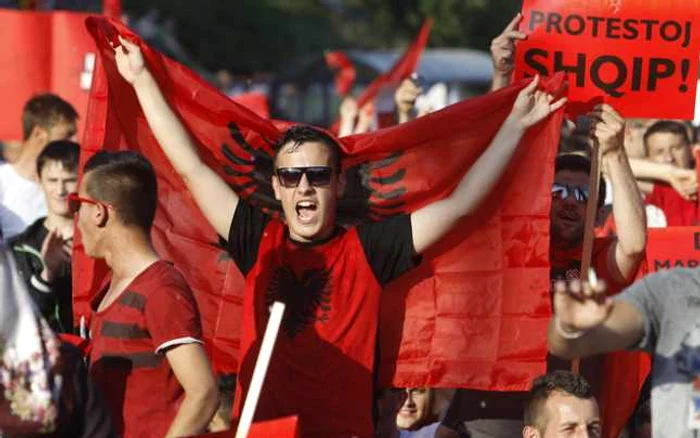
(155, 312)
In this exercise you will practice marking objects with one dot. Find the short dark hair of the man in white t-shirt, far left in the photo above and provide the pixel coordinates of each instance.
(45, 110)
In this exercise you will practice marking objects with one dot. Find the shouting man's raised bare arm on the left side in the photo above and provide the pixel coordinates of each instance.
(213, 196)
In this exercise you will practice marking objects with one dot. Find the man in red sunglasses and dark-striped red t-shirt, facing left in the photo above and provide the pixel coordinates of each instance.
(147, 356)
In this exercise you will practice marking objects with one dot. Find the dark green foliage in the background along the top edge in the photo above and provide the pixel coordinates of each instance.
(265, 35)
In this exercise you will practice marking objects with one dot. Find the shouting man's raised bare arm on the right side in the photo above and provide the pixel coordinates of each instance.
(433, 221)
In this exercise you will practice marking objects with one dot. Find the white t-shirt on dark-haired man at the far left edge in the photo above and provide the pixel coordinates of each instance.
(21, 202)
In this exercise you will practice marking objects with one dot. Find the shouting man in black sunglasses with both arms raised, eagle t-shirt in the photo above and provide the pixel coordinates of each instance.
(329, 277)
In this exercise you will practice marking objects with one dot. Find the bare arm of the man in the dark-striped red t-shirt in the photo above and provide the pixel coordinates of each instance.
(192, 370)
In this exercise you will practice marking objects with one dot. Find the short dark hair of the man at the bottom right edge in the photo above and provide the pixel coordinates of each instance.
(556, 381)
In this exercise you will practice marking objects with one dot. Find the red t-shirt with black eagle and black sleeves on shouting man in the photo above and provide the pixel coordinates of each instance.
(322, 364)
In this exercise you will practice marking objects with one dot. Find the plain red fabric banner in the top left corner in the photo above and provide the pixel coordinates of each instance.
(43, 52)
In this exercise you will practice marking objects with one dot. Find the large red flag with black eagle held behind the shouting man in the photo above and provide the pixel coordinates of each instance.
(473, 315)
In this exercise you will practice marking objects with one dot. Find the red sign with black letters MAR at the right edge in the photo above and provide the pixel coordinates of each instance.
(677, 247)
